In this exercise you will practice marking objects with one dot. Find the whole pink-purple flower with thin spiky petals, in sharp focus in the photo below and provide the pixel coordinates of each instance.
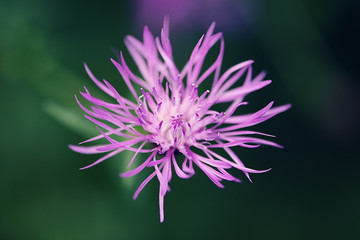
(169, 120)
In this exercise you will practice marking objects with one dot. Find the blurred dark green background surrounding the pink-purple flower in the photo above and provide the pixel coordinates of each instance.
(310, 50)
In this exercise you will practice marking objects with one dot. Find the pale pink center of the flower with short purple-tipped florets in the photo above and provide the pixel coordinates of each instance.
(176, 122)
